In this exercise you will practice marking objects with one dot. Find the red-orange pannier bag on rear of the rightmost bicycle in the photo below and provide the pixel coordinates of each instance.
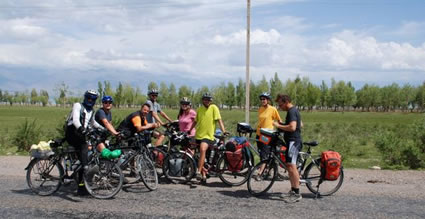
(330, 165)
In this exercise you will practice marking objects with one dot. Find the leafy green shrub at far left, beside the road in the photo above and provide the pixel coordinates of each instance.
(27, 134)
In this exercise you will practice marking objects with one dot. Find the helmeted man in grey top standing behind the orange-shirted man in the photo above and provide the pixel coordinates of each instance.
(153, 117)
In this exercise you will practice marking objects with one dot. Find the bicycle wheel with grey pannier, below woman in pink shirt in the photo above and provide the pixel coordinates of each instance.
(179, 168)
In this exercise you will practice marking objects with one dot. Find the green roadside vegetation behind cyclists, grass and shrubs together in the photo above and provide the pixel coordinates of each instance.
(365, 139)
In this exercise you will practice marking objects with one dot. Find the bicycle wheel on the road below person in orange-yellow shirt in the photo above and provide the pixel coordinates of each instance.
(259, 183)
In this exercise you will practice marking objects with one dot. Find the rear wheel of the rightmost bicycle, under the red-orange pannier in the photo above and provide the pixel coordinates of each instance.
(312, 174)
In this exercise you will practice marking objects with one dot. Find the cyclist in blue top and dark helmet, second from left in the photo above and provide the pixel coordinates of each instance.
(104, 117)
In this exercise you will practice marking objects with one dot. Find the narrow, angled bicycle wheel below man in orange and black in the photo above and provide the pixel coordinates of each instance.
(147, 171)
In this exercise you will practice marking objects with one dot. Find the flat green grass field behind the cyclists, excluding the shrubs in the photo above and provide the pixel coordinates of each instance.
(350, 133)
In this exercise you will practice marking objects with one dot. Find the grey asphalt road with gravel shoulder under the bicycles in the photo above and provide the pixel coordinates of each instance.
(364, 194)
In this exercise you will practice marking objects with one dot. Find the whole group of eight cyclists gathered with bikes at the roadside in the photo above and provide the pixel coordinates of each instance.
(200, 124)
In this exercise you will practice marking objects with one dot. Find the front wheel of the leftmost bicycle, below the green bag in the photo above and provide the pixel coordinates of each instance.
(106, 181)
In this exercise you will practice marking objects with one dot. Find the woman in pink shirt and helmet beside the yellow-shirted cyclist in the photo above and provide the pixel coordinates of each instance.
(186, 116)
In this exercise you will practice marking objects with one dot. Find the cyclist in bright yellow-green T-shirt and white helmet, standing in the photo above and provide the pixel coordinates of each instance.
(206, 117)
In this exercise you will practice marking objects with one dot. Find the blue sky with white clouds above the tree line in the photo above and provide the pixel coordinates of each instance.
(203, 42)
